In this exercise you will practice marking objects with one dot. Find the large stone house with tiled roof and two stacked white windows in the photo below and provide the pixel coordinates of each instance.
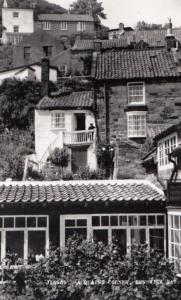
(137, 90)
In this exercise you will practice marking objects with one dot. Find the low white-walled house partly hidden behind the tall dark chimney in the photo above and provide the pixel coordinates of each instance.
(30, 72)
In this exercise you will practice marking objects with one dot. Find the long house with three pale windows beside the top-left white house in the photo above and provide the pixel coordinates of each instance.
(65, 25)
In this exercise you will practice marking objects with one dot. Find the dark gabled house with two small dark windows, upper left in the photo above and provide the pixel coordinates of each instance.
(32, 48)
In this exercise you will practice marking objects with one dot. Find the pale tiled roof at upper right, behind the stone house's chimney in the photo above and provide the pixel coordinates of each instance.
(154, 38)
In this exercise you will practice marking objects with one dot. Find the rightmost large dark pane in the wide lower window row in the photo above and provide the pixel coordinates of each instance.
(157, 239)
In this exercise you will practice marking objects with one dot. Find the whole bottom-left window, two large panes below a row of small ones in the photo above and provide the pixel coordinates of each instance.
(25, 235)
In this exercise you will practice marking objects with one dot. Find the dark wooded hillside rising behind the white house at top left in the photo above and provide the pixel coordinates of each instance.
(42, 6)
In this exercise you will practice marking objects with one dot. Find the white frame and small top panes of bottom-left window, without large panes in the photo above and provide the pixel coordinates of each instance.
(26, 229)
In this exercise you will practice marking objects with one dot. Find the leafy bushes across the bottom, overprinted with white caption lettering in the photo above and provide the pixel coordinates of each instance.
(91, 270)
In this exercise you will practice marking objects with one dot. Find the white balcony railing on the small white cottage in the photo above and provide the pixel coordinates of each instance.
(79, 137)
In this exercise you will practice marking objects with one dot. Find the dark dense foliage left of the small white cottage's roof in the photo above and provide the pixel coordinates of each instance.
(18, 100)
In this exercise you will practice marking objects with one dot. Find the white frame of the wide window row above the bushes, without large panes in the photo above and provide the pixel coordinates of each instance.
(136, 225)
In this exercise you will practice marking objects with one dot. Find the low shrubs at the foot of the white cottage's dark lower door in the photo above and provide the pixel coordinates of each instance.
(85, 173)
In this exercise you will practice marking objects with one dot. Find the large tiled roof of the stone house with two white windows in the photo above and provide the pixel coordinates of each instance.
(135, 64)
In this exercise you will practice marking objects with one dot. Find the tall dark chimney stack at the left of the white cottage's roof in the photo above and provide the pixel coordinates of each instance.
(45, 76)
